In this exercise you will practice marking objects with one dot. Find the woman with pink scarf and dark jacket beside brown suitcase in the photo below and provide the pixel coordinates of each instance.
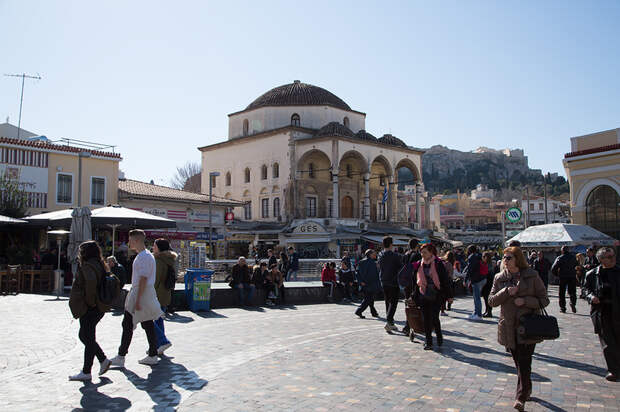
(431, 288)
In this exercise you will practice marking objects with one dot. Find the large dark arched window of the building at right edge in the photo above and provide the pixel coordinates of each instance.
(603, 210)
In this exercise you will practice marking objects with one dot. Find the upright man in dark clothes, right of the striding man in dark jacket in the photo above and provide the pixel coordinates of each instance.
(389, 265)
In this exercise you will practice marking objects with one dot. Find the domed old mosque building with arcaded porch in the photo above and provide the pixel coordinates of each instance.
(300, 152)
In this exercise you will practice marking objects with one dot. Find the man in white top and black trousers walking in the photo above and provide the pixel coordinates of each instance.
(139, 305)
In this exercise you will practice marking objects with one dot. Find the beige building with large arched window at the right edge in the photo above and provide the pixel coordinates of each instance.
(593, 171)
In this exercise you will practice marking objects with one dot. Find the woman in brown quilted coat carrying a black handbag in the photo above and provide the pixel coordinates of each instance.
(519, 291)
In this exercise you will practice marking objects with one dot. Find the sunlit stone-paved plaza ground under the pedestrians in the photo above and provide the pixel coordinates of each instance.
(305, 358)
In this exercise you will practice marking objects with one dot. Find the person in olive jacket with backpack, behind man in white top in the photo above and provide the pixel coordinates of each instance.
(165, 273)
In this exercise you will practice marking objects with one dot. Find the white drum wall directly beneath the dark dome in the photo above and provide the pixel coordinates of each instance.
(313, 117)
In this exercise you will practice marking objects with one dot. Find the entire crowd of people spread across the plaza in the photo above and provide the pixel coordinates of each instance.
(515, 281)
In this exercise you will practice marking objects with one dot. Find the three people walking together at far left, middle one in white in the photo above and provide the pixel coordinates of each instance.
(152, 276)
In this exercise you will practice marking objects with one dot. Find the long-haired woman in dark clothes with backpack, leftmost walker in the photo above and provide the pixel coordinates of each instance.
(86, 306)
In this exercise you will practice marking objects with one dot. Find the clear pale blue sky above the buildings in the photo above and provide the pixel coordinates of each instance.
(158, 78)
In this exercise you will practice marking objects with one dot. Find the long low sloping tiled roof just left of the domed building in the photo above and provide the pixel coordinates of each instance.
(129, 188)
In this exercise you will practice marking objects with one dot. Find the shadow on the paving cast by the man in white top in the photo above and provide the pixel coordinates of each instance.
(158, 384)
